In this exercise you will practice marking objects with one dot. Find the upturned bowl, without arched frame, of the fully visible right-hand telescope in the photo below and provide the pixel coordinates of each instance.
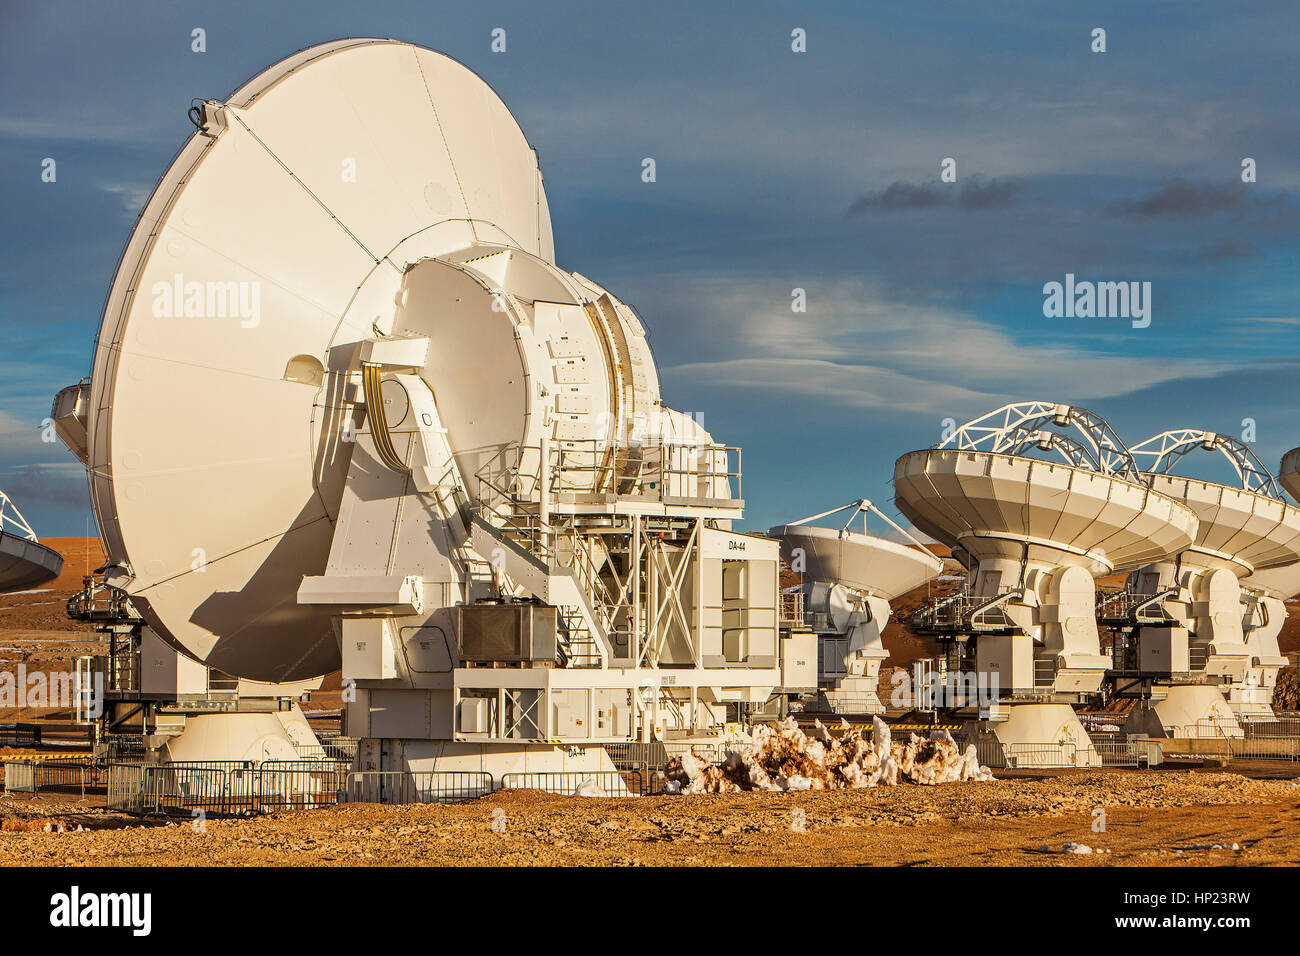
(996, 505)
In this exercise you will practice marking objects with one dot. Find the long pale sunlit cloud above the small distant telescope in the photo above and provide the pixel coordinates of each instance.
(857, 349)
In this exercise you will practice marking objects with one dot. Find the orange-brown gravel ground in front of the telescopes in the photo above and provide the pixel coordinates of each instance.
(1152, 819)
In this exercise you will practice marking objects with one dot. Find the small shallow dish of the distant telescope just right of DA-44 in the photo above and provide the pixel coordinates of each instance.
(874, 565)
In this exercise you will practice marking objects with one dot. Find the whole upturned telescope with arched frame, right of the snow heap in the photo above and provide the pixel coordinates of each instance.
(1043, 499)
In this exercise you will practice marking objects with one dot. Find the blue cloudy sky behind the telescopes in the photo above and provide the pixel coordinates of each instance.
(818, 171)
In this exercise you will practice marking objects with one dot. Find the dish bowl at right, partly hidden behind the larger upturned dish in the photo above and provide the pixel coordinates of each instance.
(1240, 530)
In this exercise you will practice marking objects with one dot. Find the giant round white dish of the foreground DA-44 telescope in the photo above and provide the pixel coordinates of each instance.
(281, 232)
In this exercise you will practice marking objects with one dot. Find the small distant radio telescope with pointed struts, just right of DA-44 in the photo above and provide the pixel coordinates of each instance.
(848, 582)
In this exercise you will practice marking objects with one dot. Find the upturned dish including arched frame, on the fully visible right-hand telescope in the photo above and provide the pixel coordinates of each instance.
(980, 491)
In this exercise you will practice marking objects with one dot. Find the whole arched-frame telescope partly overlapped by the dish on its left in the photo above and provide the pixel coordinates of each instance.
(1185, 615)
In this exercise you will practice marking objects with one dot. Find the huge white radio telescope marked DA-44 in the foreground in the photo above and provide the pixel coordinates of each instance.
(417, 448)
